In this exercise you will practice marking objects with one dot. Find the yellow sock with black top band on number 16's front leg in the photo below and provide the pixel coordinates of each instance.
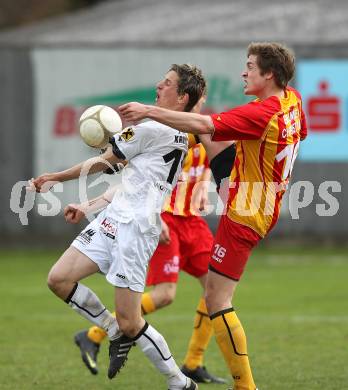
(231, 339)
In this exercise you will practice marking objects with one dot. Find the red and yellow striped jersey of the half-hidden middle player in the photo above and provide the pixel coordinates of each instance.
(195, 163)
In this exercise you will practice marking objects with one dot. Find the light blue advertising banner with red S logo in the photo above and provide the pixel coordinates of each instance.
(324, 88)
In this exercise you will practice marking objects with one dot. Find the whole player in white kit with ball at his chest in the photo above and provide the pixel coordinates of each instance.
(124, 236)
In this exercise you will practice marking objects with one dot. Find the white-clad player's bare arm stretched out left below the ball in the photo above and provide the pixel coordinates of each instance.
(44, 182)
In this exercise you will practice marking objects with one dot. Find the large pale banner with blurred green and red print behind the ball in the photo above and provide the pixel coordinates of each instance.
(68, 81)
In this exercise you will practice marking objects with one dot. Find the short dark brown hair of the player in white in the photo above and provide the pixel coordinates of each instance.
(191, 81)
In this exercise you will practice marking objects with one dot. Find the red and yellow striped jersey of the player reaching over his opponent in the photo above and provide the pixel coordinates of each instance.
(268, 134)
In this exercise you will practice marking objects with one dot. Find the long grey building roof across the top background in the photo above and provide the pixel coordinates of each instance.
(155, 23)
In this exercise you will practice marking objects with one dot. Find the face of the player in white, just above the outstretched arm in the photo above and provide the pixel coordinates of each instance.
(167, 92)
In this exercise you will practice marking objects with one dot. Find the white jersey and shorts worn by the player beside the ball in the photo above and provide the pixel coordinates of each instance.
(126, 233)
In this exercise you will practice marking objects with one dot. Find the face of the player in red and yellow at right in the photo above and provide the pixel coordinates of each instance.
(254, 82)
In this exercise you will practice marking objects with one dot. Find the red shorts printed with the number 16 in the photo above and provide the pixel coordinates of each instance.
(231, 249)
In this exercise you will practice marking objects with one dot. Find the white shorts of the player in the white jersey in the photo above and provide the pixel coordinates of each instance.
(120, 250)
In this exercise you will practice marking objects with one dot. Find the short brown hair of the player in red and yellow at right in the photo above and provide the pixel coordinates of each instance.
(276, 58)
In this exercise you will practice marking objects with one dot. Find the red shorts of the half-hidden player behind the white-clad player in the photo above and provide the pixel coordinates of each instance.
(189, 250)
